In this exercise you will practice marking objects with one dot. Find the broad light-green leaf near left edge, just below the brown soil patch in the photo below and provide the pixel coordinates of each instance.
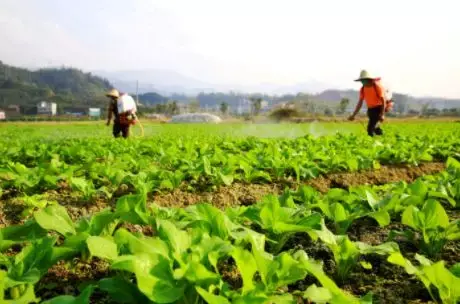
(55, 218)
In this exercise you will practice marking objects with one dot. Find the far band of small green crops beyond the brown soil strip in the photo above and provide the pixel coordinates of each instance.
(161, 164)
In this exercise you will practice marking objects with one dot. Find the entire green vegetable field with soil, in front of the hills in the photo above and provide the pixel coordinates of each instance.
(314, 213)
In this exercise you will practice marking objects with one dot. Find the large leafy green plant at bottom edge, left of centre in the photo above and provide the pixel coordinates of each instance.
(169, 267)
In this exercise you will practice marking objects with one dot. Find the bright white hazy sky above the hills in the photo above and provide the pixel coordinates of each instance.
(413, 45)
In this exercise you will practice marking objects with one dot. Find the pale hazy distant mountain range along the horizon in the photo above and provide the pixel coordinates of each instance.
(166, 83)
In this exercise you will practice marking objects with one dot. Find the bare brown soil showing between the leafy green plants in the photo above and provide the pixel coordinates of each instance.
(389, 283)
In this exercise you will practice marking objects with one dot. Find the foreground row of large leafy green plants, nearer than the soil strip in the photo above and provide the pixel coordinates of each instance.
(182, 261)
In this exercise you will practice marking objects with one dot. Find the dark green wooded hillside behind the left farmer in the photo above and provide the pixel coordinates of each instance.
(65, 86)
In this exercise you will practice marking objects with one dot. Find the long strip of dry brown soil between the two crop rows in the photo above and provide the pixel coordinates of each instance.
(246, 194)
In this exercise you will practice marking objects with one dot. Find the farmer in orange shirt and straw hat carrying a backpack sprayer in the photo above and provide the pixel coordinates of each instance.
(374, 95)
